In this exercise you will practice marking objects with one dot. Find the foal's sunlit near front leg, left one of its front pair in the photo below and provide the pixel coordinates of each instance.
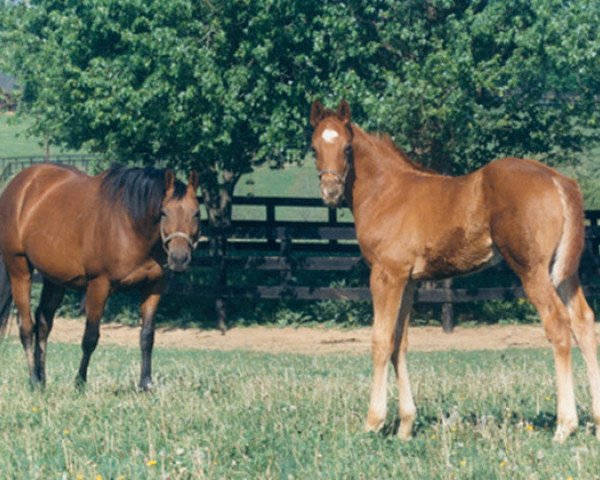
(387, 289)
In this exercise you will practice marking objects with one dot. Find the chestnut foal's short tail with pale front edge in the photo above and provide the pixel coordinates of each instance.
(570, 246)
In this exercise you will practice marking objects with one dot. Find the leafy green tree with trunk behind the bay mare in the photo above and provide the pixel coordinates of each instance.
(220, 87)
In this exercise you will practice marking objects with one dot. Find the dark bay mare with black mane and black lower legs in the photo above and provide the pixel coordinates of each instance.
(101, 233)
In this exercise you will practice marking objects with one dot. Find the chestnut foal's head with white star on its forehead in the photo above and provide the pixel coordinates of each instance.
(332, 145)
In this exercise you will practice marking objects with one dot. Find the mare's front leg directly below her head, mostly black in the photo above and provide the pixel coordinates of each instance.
(151, 294)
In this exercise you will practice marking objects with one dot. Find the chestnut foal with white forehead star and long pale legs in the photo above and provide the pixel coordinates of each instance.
(414, 224)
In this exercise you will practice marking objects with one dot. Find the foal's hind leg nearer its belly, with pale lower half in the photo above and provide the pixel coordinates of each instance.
(556, 321)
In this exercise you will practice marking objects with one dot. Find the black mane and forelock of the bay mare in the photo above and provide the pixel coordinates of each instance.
(139, 191)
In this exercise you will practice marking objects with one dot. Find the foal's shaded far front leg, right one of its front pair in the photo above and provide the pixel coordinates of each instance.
(407, 408)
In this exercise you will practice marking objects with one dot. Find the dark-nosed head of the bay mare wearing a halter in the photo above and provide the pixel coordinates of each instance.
(180, 221)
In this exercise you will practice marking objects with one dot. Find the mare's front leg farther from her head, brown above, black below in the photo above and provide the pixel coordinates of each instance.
(96, 295)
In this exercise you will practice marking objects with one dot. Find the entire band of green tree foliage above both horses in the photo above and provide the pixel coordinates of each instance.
(226, 86)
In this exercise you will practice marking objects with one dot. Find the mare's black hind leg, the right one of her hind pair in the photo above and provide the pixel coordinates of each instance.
(50, 300)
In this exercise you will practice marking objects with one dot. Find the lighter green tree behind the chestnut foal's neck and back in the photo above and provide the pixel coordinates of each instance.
(459, 83)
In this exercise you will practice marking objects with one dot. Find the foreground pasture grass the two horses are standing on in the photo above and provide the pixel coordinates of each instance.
(248, 415)
